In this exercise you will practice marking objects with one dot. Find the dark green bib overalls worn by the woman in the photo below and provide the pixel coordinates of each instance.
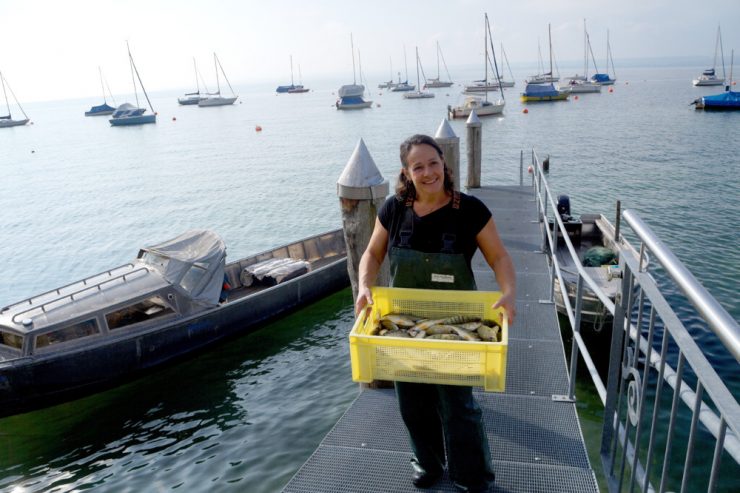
(439, 415)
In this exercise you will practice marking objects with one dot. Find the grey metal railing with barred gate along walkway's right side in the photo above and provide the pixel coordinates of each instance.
(644, 433)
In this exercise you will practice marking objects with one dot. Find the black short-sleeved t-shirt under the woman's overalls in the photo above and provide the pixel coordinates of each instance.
(465, 223)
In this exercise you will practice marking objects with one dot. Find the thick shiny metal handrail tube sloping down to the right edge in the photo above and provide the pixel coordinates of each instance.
(720, 321)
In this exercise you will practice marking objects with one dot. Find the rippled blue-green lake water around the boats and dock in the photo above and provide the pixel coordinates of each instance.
(78, 196)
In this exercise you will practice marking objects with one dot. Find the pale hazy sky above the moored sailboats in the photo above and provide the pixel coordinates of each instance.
(51, 49)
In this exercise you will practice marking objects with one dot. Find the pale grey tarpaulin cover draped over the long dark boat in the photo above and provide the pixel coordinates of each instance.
(193, 262)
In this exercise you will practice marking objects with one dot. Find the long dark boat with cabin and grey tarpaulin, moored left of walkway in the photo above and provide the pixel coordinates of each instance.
(175, 298)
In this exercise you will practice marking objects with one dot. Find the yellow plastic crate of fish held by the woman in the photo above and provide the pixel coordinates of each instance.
(477, 364)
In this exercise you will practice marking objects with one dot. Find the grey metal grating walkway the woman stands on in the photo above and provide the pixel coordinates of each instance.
(536, 443)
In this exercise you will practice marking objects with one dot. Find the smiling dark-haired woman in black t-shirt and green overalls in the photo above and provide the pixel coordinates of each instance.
(431, 233)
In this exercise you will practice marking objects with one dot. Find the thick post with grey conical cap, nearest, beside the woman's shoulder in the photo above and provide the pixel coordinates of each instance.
(361, 190)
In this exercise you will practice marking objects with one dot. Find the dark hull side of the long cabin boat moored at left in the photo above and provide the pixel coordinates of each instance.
(36, 381)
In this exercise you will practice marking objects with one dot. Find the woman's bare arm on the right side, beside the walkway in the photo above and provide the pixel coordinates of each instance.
(499, 260)
